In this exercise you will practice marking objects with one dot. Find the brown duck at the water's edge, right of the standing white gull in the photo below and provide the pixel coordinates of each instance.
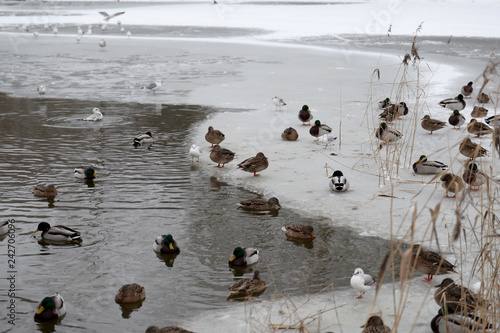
(429, 262)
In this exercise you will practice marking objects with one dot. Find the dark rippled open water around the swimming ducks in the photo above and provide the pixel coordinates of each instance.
(139, 195)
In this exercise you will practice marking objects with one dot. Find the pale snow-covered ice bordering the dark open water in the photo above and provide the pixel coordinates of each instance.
(246, 71)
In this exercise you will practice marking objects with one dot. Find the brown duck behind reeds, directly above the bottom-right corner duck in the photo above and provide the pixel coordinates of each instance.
(457, 297)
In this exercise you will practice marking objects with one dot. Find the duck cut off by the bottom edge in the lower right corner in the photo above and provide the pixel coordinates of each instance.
(447, 321)
